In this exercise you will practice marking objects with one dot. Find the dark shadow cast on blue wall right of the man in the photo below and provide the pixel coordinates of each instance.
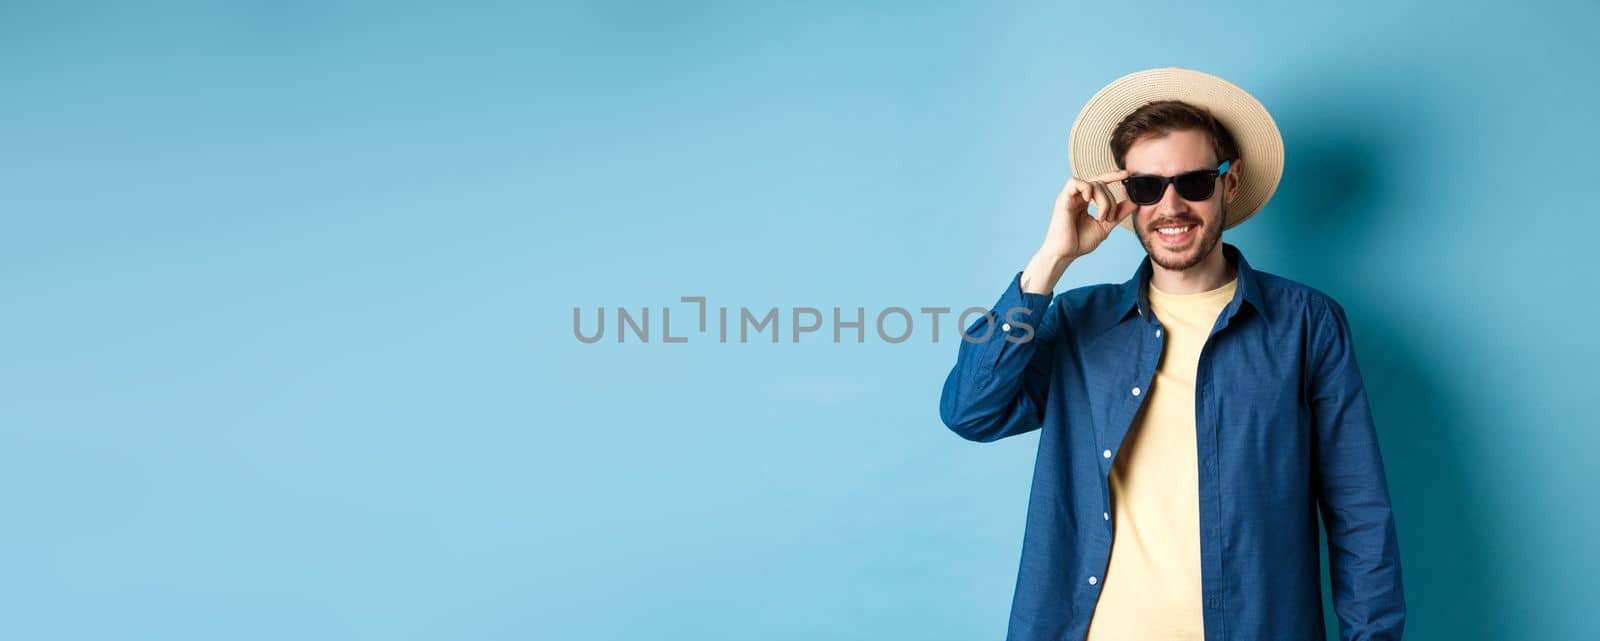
(1340, 135)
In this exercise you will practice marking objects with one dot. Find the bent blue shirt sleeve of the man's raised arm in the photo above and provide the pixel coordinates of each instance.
(1002, 370)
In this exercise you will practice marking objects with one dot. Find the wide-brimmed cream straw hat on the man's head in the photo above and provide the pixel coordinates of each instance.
(1242, 114)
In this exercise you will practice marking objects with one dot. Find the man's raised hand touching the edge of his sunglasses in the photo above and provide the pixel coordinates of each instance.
(1073, 233)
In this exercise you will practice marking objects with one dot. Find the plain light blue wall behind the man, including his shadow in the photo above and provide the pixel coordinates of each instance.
(289, 295)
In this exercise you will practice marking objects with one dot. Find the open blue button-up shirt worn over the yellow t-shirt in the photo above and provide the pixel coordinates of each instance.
(1282, 429)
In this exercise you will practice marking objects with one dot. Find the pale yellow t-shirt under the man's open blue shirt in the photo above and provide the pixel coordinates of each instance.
(1153, 584)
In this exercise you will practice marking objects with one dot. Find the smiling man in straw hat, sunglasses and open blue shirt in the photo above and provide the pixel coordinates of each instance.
(1193, 420)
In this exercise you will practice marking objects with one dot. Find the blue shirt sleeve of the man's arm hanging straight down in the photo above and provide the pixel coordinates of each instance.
(1353, 492)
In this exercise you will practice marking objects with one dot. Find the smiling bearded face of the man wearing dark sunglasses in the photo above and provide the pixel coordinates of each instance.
(1170, 156)
